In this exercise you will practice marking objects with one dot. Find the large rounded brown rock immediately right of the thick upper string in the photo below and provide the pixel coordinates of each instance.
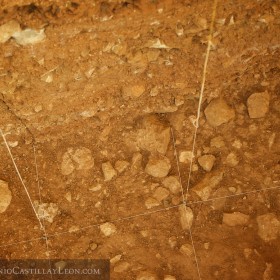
(218, 112)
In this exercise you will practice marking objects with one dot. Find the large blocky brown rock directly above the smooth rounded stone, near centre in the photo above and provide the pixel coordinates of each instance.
(153, 135)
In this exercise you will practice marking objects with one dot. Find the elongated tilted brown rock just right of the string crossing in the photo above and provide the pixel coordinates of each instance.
(208, 184)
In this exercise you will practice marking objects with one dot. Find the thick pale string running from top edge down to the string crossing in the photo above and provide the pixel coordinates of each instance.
(202, 90)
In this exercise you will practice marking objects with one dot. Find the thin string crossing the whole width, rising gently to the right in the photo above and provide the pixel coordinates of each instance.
(145, 214)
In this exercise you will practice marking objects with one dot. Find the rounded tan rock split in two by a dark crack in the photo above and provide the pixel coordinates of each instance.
(79, 159)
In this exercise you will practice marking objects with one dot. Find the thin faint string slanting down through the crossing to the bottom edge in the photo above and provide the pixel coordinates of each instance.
(184, 202)
